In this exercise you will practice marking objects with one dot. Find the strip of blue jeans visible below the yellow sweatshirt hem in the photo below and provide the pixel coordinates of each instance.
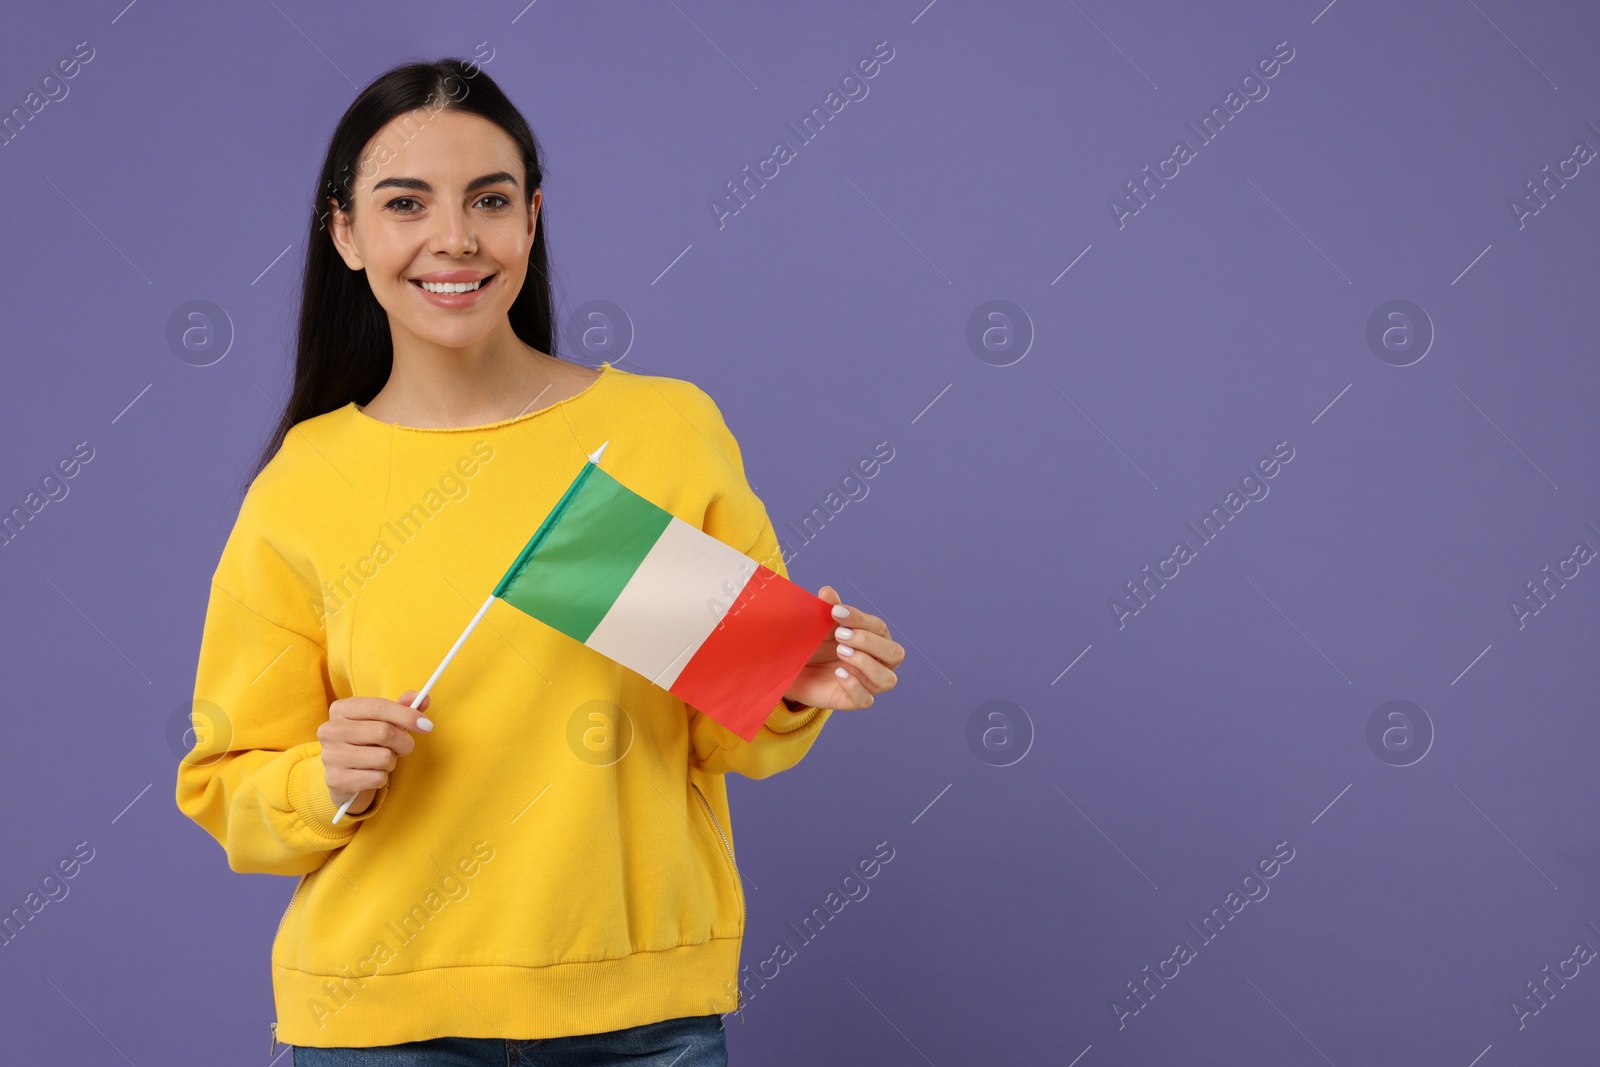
(690, 1042)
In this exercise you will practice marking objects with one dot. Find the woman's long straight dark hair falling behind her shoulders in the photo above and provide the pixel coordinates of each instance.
(345, 351)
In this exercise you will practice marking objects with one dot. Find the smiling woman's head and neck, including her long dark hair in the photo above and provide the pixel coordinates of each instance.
(438, 262)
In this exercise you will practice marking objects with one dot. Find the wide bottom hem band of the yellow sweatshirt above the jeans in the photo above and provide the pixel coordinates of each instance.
(506, 1002)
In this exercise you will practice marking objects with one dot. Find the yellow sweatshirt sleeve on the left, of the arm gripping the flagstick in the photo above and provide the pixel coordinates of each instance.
(255, 778)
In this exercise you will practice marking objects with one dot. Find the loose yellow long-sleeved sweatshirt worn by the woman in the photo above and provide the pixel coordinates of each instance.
(556, 857)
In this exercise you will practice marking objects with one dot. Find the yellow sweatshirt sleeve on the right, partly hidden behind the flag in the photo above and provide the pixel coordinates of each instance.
(737, 518)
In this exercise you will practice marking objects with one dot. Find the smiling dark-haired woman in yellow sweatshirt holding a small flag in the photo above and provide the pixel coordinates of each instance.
(538, 865)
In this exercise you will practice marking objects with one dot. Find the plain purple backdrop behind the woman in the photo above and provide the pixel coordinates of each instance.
(1380, 661)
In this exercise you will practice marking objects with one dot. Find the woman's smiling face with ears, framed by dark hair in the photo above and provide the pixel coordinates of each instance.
(439, 198)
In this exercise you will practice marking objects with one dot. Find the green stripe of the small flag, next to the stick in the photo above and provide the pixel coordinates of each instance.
(586, 551)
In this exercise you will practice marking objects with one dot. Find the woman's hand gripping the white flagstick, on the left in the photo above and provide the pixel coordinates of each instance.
(364, 740)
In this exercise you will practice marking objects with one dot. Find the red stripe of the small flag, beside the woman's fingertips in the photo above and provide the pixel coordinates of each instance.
(742, 673)
